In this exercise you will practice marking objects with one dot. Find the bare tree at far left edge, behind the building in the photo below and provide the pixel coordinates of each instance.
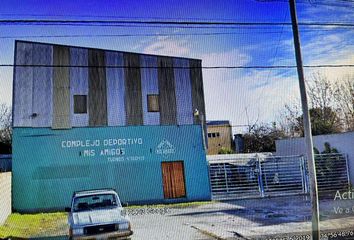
(5, 129)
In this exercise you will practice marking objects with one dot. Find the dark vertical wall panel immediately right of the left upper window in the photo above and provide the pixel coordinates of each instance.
(97, 103)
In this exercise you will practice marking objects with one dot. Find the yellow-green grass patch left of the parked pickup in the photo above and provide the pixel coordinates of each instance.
(34, 225)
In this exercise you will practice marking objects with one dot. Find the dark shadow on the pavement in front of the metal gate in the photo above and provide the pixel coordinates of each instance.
(275, 210)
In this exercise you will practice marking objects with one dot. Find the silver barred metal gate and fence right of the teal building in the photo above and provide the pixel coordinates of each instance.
(260, 175)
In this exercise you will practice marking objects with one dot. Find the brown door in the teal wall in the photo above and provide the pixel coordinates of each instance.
(173, 179)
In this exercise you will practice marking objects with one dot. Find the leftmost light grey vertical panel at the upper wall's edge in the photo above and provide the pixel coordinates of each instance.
(23, 81)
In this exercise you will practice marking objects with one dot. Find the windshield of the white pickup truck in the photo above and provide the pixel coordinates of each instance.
(96, 201)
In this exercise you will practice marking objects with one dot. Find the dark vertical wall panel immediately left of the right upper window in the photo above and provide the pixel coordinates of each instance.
(133, 100)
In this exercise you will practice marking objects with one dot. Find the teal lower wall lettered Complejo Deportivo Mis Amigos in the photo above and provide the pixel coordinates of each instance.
(48, 165)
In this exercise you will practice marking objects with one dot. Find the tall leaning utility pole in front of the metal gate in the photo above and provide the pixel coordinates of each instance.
(307, 126)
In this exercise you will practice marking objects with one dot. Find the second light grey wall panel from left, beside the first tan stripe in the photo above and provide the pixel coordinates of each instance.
(42, 86)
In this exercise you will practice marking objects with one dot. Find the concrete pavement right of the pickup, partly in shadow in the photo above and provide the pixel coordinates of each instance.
(241, 219)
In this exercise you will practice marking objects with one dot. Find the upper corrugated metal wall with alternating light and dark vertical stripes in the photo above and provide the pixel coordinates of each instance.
(116, 96)
